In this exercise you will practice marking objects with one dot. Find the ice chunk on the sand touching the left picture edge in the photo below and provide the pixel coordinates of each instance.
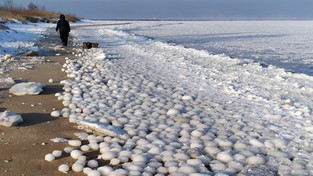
(9, 119)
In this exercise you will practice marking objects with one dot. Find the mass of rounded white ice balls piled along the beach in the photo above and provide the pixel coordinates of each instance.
(171, 134)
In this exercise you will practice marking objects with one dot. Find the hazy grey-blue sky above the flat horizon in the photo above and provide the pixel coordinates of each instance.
(179, 9)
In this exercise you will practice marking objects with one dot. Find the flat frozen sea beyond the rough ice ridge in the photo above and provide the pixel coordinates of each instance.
(285, 44)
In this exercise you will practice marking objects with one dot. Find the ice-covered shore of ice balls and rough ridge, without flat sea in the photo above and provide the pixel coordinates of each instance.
(238, 114)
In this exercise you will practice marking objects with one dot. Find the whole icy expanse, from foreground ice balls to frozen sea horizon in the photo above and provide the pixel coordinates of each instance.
(178, 97)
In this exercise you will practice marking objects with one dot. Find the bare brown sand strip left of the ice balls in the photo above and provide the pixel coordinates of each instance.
(24, 147)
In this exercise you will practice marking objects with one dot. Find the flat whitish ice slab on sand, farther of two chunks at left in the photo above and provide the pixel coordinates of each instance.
(27, 88)
